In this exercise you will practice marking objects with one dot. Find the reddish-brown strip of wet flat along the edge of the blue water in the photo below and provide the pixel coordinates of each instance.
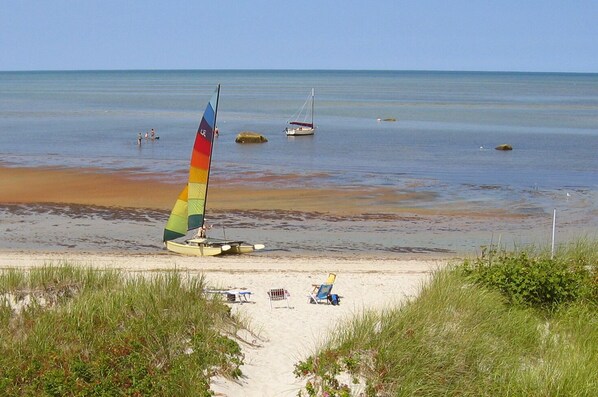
(126, 189)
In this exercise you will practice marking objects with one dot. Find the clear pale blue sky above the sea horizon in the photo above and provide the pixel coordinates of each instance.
(457, 35)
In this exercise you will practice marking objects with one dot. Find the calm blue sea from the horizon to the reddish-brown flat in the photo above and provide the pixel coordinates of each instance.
(447, 125)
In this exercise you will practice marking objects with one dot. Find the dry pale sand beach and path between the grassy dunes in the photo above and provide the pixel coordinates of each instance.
(283, 336)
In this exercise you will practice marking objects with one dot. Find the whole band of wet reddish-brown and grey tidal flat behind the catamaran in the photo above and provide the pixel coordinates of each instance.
(93, 210)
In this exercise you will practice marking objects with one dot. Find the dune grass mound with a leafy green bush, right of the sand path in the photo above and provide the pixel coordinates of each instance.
(482, 328)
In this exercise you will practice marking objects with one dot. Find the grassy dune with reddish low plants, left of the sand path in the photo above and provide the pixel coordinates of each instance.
(68, 330)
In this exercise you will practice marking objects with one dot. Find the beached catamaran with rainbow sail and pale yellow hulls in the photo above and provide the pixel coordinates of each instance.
(189, 210)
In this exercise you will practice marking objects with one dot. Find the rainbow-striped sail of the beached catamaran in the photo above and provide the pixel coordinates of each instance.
(189, 209)
